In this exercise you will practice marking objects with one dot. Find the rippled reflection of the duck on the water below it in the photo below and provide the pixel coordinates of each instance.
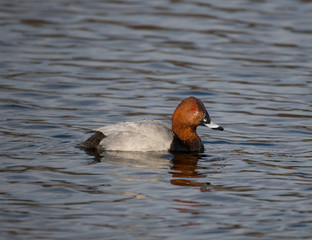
(183, 166)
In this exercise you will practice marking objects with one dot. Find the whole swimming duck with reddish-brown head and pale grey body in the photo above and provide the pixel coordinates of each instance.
(156, 135)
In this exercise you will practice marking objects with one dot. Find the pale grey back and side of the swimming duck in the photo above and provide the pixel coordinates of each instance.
(136, 136)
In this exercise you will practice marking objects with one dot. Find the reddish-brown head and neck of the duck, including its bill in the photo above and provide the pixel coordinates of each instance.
(189, 114)
